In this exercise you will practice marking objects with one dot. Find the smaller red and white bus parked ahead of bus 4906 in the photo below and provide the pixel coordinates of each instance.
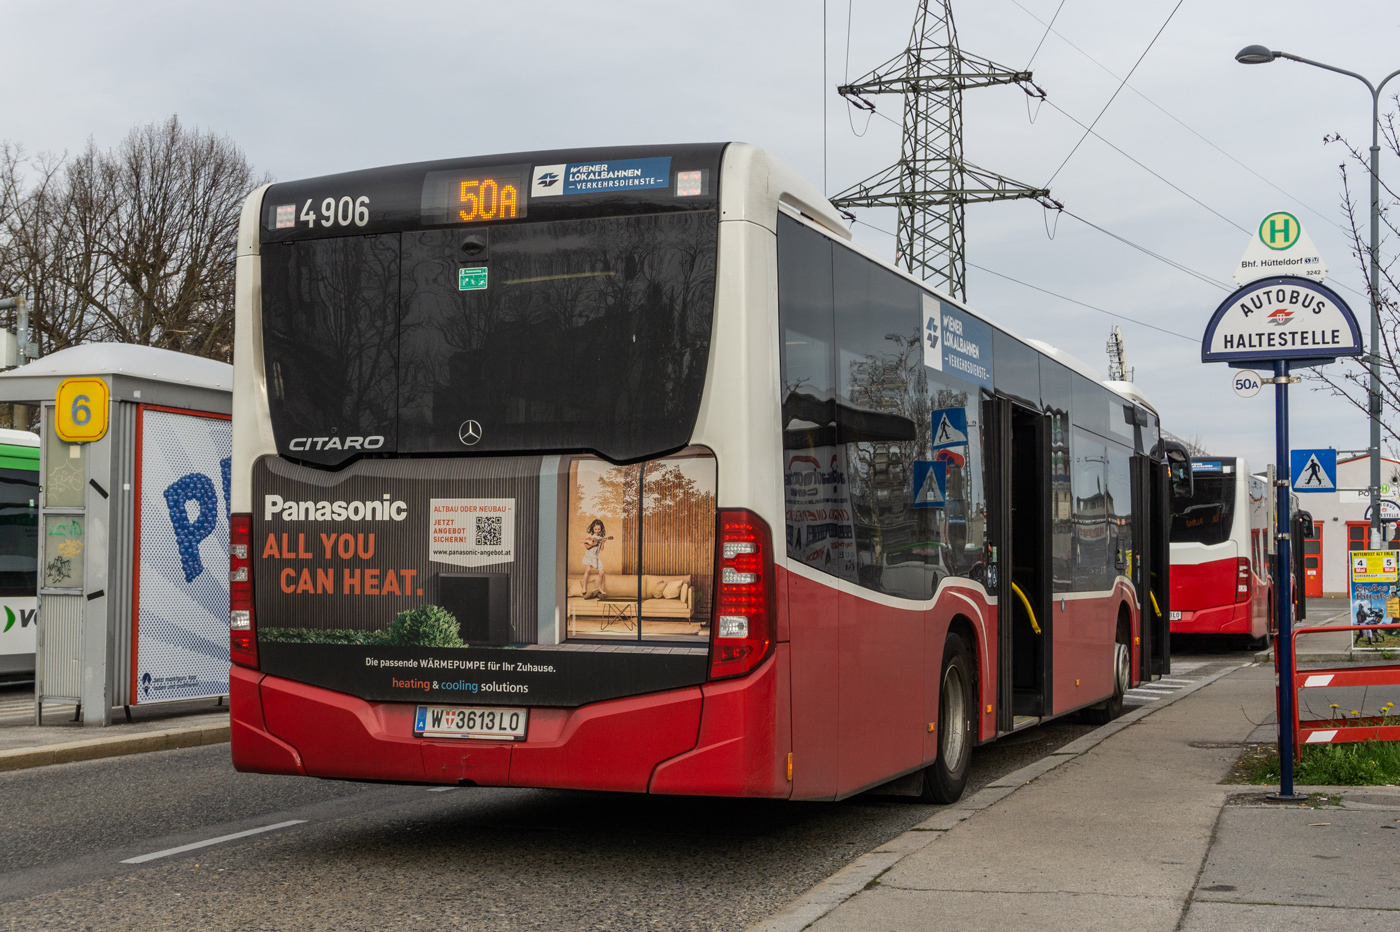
(1223, 553)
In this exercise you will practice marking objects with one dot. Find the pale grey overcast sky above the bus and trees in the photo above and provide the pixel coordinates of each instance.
(309, 89)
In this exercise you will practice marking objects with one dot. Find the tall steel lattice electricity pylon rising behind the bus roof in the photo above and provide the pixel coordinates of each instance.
(932, 184)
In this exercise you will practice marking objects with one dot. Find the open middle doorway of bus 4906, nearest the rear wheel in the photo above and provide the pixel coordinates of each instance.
(1018, 527)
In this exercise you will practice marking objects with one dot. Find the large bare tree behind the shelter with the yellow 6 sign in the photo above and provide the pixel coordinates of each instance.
(132, 246)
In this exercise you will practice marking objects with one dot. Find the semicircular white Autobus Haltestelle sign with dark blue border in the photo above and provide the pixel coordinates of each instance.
(1282, 318)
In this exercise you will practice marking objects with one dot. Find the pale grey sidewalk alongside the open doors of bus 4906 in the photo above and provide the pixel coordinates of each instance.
(1135, 833)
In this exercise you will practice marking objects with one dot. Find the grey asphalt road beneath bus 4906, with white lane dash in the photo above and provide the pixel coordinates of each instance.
(369, 857)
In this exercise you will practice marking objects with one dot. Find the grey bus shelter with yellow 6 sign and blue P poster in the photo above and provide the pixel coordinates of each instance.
(134, 530)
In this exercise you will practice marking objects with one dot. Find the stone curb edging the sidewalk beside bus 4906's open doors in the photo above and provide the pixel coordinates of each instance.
(853, 878)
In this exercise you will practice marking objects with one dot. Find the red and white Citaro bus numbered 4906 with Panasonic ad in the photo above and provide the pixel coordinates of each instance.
(624, 469)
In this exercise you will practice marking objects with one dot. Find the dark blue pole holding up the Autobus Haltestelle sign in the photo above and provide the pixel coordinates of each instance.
(1283, 598)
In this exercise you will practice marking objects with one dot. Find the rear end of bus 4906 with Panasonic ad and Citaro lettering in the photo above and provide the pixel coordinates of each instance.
(495, 496)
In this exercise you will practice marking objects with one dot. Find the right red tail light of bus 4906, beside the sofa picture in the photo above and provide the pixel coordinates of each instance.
(741, 630)
